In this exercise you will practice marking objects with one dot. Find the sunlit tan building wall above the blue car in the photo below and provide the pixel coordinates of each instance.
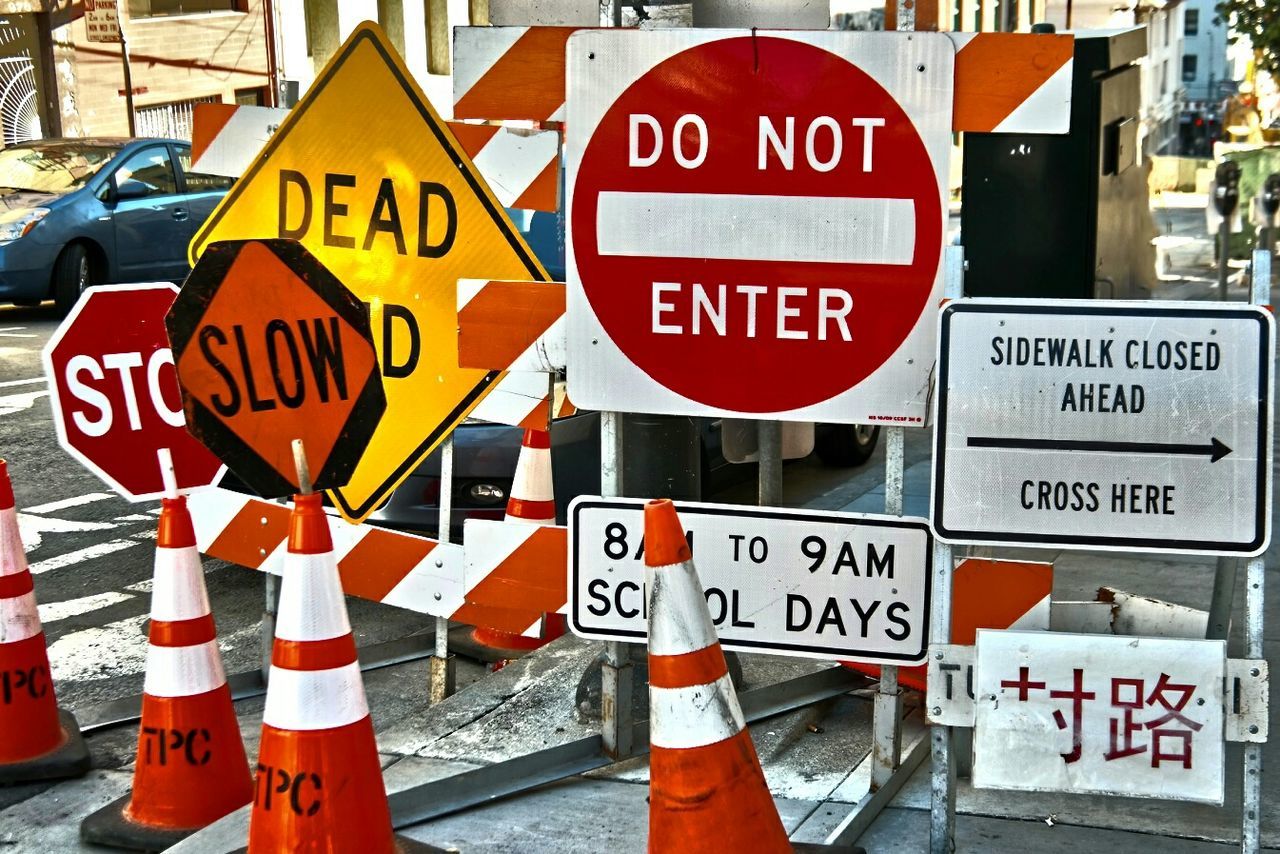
(177, 60)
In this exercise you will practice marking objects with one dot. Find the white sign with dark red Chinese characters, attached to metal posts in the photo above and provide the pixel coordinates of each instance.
(1089, 714)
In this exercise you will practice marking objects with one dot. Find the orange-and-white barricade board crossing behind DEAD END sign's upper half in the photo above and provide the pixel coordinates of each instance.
(522, 166)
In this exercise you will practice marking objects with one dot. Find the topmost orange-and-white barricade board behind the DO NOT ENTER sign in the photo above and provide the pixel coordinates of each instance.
(1004, 83)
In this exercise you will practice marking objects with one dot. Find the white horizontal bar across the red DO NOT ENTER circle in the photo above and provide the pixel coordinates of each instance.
(743, 227)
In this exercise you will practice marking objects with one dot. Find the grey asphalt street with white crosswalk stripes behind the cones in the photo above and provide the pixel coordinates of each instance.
(92, 550)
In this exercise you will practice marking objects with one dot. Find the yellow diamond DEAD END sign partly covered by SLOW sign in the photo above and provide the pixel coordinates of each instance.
(367, 176)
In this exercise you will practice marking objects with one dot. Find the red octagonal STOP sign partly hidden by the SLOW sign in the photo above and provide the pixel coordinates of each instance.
(116, 396)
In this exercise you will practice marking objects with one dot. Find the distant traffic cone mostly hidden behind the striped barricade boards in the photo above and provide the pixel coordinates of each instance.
(532, 503)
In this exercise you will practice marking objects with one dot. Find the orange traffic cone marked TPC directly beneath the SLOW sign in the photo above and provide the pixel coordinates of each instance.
(319, 778)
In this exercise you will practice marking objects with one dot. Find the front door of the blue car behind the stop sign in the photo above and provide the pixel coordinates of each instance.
(152, 231)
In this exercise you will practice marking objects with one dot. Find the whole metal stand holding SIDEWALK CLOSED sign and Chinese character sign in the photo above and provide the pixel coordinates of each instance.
(1095, 704)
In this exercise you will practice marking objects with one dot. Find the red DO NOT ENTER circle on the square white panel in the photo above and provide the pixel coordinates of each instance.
(804, 355)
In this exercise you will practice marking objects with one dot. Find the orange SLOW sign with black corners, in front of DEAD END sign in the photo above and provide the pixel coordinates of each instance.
(271, 348)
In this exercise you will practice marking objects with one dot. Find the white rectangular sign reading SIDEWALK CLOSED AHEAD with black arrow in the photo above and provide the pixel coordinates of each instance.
(1108, 426)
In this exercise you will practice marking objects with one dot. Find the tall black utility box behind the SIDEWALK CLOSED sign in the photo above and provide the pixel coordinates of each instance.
(1067, 217)
